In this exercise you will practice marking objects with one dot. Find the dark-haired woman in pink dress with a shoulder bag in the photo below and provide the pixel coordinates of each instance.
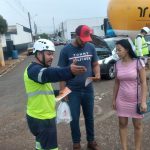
(128, 68)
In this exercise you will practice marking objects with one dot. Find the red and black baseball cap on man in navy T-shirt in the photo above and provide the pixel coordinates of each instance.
(84, 32)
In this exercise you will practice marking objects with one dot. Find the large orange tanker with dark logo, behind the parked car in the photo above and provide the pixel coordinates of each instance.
(127, 17)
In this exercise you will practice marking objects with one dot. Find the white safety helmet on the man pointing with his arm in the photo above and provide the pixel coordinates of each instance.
(43, 44)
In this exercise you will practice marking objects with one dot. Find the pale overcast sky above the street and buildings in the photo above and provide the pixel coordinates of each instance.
(48, 14)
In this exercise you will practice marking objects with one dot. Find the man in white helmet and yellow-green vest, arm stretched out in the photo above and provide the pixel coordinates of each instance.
(38, 76)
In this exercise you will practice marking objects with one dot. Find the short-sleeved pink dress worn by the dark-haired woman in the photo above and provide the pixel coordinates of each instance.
(127, 94)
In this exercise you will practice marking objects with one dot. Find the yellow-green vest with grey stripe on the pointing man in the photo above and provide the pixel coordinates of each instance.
(41, 99)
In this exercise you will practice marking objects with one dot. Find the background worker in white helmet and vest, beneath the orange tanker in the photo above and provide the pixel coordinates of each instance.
(140, 43)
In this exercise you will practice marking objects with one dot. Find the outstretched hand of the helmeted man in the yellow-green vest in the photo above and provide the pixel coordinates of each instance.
(77, 70)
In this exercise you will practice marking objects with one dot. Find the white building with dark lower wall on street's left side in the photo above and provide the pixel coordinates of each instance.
(17, 38)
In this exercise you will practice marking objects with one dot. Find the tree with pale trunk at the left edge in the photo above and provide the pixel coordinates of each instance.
(3, 30)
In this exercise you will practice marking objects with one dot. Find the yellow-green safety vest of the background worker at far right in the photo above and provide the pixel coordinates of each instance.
(145, 50)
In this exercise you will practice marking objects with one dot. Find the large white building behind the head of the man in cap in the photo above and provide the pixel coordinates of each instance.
(69, 26)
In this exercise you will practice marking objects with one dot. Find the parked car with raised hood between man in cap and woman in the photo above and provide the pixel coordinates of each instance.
(106, 52)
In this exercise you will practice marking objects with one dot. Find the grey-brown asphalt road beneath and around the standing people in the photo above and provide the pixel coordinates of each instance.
(14, 133)
